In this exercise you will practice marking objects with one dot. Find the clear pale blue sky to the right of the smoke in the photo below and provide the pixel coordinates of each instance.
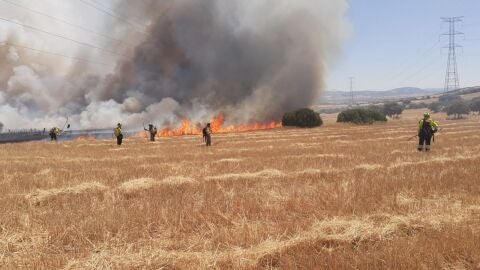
(399, 44)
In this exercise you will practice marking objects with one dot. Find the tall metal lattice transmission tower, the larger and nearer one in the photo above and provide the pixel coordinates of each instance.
(451, 76)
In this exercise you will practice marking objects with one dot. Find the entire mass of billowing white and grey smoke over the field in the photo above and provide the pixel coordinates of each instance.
(251, 60)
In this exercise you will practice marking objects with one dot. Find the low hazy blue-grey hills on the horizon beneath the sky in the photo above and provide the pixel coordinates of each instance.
(369, 96)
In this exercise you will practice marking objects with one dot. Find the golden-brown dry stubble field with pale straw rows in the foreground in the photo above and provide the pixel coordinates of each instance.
(336, 197)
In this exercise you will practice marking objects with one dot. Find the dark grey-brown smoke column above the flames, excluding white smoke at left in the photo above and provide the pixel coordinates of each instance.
(252, 59)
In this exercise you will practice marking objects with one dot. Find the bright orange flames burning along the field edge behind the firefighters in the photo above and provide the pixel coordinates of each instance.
(217, 126)
